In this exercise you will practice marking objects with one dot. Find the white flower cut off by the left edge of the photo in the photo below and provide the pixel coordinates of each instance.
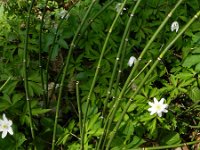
(5, 126)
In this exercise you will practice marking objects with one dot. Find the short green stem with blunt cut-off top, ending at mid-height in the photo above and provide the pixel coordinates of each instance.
(79, 111)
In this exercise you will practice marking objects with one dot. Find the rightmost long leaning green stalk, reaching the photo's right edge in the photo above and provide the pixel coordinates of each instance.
(146, 77)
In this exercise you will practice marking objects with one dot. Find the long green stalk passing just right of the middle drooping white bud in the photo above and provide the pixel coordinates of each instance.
(117, 102)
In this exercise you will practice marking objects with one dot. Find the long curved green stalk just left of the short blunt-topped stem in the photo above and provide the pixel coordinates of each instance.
(66, 64)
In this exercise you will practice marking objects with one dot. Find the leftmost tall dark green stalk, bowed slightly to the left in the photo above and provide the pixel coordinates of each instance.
(25, 66)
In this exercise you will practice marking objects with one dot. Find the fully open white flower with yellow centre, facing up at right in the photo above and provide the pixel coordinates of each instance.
(158, 107)
